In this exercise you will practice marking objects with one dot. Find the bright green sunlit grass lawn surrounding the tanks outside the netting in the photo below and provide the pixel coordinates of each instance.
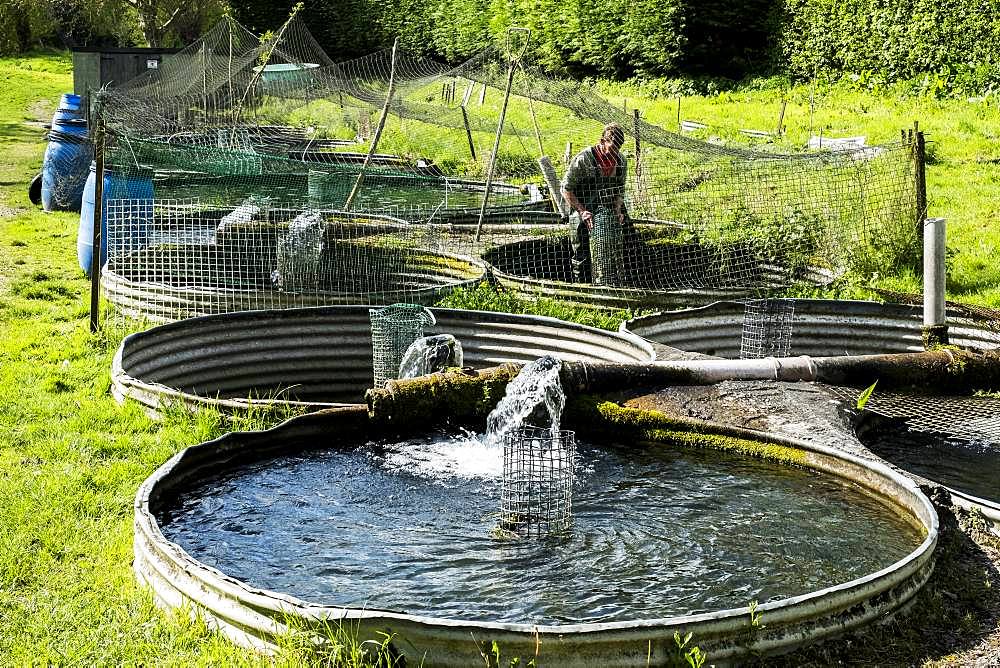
(71, 458)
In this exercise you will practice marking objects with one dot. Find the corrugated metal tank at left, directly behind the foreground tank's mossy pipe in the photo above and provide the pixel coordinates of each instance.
(320, 357)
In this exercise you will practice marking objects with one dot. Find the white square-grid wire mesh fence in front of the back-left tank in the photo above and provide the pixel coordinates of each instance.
(173, 259)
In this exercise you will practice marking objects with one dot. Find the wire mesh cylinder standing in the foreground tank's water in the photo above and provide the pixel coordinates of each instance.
(536, 493)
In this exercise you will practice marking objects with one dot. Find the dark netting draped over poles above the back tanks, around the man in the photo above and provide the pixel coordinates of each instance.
(233, 117)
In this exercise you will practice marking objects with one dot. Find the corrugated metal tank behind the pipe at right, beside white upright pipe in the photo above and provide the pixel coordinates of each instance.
(820, 328)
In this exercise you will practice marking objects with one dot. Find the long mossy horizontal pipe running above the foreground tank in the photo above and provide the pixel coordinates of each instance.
(467, 397)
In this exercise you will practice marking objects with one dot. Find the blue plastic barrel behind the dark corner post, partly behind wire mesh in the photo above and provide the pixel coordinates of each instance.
(132, 219)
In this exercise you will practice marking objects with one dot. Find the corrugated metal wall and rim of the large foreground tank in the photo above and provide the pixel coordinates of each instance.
(253, 617)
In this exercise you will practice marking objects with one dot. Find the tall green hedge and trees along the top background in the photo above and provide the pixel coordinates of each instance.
(939, 47)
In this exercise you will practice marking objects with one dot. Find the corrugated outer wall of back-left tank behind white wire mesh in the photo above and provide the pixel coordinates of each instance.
(428, 278)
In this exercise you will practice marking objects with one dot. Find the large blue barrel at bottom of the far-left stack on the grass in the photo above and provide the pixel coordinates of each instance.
(64, 167)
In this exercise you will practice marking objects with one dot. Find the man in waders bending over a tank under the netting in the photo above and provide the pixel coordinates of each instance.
(594, 189)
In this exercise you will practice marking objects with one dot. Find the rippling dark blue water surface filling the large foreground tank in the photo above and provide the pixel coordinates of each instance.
(410, 527)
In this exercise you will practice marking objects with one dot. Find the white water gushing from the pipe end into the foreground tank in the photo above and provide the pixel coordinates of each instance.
(536, 386)
